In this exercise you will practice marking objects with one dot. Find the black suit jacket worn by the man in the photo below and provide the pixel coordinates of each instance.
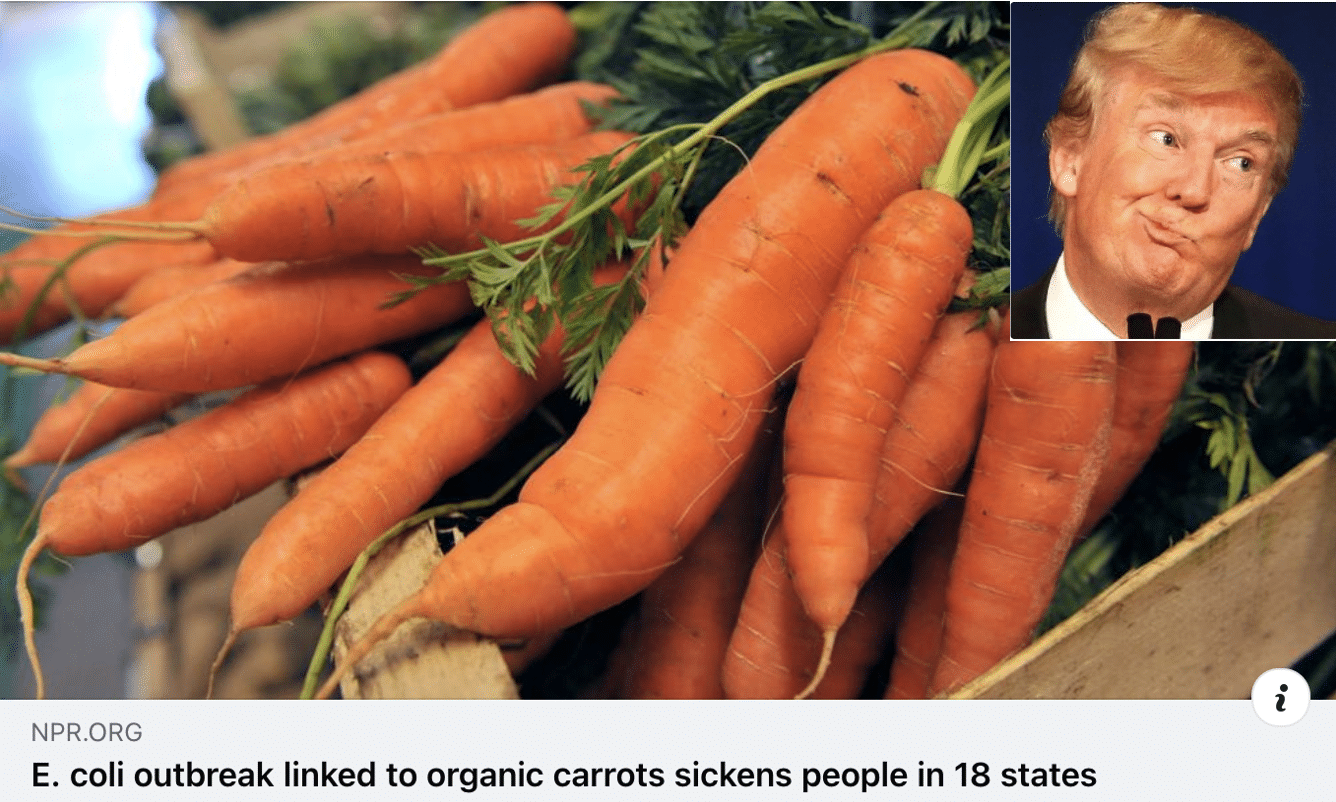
(1240, 315)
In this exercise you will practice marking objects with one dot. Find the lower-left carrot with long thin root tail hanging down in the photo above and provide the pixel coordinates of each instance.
(200, 469)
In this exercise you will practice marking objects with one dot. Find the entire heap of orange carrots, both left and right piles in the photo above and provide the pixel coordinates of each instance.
(798, 458)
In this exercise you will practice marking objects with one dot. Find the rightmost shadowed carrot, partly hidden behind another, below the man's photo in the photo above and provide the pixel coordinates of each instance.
(1151, 379)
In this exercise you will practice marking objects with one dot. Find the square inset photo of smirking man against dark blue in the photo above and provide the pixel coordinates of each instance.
(1172, 172)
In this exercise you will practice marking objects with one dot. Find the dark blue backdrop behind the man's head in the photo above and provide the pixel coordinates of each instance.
(1290, 261)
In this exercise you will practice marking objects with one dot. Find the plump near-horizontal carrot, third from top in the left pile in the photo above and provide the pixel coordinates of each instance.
(391, 203)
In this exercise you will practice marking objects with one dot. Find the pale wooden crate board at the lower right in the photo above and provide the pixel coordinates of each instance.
(1252, 590)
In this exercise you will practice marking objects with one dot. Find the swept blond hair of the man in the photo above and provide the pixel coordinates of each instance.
(1195, 54)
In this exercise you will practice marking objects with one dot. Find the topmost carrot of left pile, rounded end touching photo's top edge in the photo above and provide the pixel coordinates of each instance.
(510, 51)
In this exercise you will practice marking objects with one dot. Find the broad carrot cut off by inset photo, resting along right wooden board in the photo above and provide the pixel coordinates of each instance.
(1045, 442)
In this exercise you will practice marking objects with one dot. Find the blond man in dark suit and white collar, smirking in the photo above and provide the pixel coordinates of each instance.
(1172, 137)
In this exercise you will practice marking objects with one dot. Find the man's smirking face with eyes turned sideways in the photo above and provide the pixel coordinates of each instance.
(1163, 196)
